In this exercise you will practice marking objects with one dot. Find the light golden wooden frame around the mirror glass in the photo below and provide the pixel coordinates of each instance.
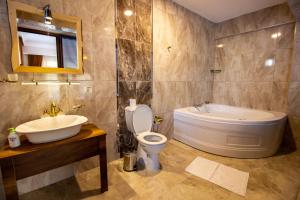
(13, 7)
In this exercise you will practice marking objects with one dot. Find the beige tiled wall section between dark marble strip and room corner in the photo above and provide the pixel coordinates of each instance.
(182, 53)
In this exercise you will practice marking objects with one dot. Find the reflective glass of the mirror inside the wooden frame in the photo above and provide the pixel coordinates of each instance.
(50, 44)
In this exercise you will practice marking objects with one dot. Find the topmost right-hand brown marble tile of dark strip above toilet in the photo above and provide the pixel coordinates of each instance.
(143, 21)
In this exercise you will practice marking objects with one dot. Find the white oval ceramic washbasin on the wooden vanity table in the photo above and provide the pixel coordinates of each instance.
(51, 129)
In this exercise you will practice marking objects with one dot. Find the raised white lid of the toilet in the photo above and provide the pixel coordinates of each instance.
(142, 119)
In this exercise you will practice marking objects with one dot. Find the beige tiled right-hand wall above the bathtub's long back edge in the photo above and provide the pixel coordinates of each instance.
(247, 43)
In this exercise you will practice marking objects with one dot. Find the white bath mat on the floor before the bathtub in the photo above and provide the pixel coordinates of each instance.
(222, 175)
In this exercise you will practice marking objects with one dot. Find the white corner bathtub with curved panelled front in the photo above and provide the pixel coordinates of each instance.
(230, 131)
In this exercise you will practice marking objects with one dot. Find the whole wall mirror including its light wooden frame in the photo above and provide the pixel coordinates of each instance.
(42, 45)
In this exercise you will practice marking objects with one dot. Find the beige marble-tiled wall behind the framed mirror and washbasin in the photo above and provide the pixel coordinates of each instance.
(96, 92)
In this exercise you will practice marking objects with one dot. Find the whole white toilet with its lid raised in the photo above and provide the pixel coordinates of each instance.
(139, 121)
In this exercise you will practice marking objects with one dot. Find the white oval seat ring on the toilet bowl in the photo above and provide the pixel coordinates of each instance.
(151, 138)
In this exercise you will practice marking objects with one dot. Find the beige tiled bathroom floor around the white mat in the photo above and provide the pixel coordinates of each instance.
(272, 178)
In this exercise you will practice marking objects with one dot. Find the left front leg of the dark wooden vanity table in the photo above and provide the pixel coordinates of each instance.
(9, 179)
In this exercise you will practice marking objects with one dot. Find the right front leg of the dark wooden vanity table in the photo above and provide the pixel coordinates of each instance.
(103, 164)
